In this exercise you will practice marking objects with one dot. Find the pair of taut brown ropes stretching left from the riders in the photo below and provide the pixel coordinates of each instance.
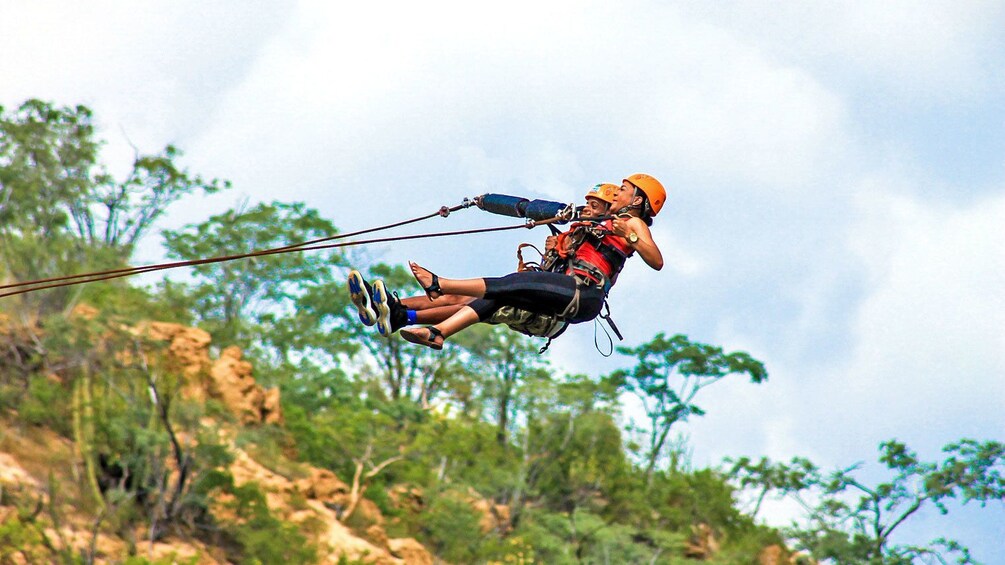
(82, 279)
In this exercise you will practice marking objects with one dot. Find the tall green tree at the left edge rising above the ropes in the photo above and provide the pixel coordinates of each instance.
(62, 213)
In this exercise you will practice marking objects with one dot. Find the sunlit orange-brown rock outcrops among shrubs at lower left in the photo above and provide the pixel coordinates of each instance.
(35, 459)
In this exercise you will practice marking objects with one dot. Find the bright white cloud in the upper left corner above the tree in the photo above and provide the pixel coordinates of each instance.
(153, 73)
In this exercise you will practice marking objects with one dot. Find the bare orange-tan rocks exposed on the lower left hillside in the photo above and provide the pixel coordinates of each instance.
(310, 497)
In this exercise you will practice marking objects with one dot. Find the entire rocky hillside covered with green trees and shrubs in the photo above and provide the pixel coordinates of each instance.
(241, 414)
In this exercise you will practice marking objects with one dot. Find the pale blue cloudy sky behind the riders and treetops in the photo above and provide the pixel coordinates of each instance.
(836, 174)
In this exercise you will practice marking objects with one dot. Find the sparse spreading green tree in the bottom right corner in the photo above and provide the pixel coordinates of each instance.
(854, 522)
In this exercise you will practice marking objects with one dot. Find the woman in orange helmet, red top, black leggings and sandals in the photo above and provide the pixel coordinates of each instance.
(576, 296)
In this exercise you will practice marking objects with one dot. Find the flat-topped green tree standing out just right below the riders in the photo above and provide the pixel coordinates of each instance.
(668, 378)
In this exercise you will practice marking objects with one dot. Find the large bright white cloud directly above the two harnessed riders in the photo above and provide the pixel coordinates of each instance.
(342, 89)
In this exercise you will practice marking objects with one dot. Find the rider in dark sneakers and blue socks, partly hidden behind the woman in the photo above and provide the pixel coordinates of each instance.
(378, 308)
